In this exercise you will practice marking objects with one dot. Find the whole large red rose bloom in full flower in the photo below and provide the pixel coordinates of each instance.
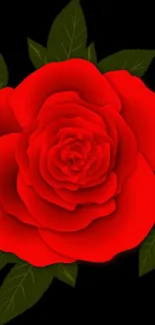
(77, 156)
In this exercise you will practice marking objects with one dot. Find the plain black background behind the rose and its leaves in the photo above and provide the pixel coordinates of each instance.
(113, 27)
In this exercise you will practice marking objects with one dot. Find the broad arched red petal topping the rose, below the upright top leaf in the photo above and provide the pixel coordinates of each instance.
(74, 74)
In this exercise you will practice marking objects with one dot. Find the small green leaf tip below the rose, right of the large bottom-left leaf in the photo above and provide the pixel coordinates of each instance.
(67, 273)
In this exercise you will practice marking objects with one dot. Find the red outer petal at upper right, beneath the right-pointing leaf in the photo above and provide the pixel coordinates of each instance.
(138, 110)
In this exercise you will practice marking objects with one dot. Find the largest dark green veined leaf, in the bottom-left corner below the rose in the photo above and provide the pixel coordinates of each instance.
(22, 288)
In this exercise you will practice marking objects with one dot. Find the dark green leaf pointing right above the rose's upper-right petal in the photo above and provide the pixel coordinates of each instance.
(134, 61)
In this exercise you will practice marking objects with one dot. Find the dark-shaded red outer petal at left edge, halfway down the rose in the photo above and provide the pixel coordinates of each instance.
(9, 198)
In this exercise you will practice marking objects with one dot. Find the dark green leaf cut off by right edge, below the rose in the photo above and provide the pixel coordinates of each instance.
(147, 254)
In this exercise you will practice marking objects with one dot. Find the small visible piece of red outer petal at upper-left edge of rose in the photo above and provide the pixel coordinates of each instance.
(8, 122)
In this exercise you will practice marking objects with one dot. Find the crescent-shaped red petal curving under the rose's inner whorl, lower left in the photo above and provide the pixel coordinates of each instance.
(53, 217)
